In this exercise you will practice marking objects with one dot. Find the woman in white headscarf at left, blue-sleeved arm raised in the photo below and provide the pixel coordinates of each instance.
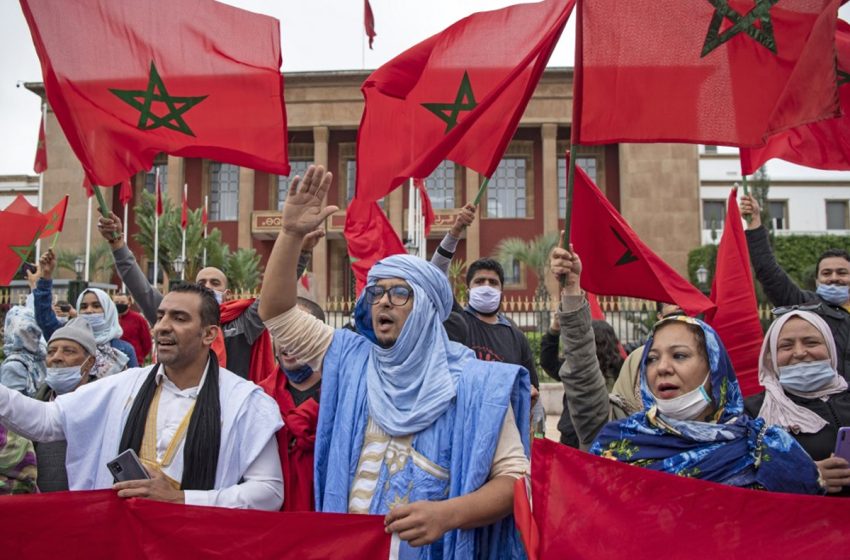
(96, 307)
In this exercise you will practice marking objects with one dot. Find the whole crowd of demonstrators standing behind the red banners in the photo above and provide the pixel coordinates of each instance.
(422, 410)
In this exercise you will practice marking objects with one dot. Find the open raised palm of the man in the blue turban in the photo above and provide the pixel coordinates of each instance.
(304, 210)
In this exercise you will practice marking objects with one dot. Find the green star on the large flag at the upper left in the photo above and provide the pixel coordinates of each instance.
(144, 99)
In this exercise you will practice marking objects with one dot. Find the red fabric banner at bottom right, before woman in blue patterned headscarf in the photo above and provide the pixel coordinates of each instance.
(590, 507)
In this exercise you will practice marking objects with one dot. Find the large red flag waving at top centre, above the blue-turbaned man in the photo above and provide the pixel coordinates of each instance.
(457, 95)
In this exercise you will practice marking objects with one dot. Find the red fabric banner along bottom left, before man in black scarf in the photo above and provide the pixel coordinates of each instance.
(95, 525)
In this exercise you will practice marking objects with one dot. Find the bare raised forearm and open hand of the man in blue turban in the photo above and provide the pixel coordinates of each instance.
(303, 212)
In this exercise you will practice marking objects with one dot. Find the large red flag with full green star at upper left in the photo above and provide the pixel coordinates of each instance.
(128, 80)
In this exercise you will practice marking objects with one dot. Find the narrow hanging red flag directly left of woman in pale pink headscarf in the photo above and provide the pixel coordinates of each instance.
(736, 317)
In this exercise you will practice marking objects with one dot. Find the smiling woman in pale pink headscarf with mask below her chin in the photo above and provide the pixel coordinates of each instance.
(804, 392)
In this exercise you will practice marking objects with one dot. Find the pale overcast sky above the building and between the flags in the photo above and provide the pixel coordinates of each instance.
(315, 35)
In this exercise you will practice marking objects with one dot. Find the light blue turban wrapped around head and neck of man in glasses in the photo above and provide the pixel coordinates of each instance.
(413, 382)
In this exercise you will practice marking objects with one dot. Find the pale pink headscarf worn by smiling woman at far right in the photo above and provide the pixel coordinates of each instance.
(777, 407)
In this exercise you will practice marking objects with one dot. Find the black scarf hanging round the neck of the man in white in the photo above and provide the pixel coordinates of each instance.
(203, 438)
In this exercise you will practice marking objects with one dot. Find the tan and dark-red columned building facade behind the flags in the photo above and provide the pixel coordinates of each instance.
(655, 186)
